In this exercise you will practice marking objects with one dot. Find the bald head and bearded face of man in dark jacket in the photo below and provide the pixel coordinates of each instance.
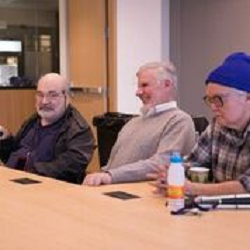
(51, 98)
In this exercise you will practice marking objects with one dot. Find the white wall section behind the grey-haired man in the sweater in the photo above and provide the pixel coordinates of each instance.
(142, 36)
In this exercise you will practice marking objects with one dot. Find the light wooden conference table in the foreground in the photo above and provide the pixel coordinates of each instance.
(56, 215)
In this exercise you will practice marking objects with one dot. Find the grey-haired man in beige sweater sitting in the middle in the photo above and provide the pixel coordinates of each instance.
(145, 141)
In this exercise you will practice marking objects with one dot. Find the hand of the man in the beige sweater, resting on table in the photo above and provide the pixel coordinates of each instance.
(97, 179)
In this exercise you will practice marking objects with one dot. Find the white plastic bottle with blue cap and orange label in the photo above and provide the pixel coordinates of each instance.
(176, 181)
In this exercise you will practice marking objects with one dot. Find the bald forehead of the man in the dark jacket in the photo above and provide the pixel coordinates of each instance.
(52, 83)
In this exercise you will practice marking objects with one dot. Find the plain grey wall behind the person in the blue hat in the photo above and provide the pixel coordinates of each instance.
(202, 34)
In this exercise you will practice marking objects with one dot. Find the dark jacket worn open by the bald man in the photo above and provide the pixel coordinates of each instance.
(72, 152)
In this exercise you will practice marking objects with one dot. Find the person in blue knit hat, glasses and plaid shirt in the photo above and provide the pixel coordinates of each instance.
(224, 147)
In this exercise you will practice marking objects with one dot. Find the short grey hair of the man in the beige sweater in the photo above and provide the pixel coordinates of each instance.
(165, 71)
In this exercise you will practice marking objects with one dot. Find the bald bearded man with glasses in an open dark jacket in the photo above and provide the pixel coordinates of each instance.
(56, 141)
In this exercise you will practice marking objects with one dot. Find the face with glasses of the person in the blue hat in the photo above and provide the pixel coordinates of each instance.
(230, 107)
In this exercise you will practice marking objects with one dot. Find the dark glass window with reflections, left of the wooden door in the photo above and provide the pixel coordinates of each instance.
(29, 41)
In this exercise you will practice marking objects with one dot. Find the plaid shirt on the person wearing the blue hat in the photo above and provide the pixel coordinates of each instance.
(226, 152)
